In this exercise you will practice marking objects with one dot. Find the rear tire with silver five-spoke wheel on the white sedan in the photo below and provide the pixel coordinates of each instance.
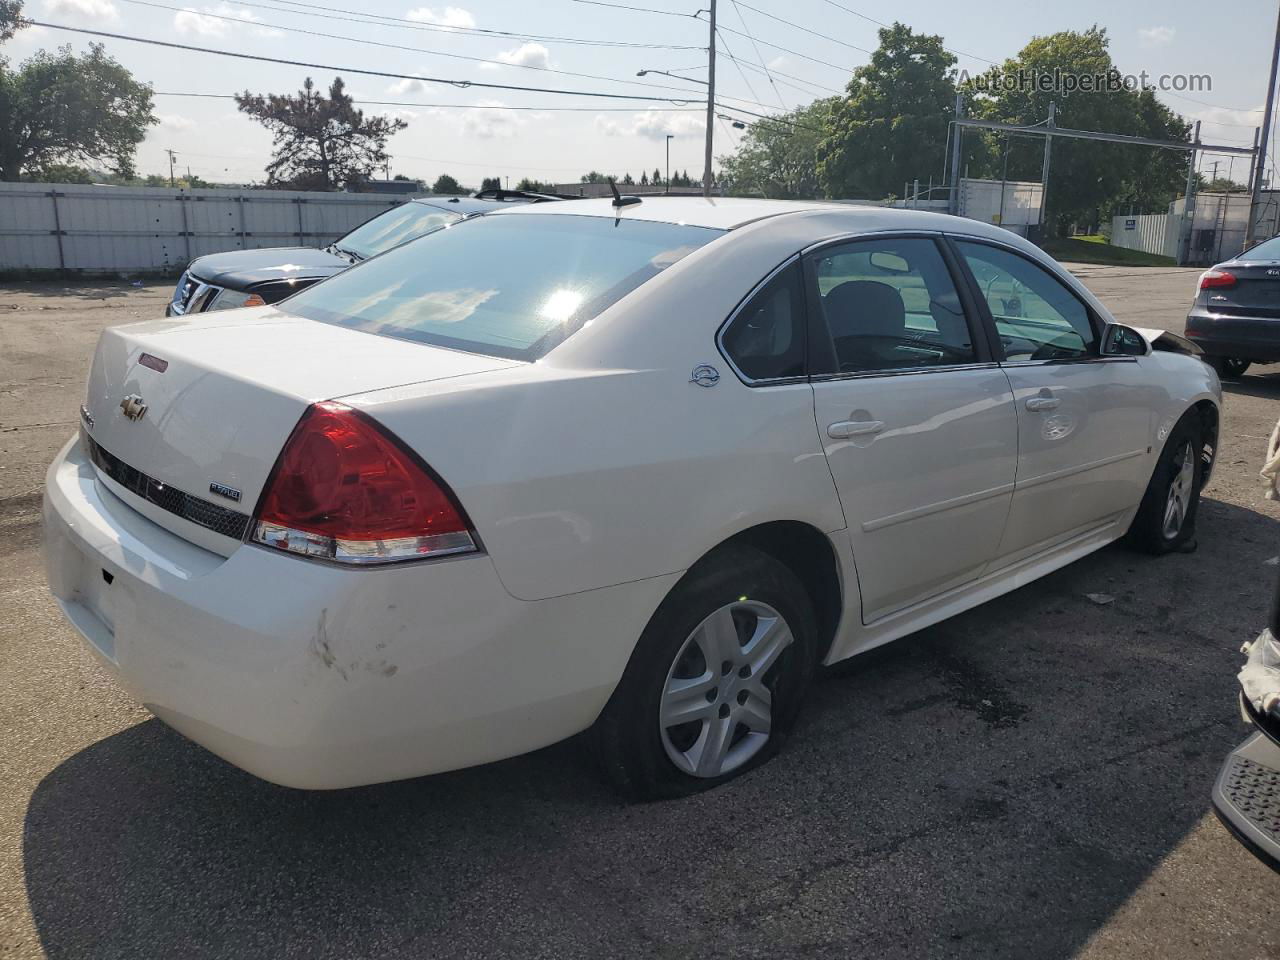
(716, 682)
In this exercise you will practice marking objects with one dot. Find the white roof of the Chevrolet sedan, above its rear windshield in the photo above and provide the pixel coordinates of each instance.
(730, 213)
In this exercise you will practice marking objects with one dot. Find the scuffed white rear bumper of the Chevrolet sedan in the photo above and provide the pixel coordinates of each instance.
(316, 676)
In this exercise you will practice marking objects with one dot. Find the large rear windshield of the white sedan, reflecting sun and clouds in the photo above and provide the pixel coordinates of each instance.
(506, 286)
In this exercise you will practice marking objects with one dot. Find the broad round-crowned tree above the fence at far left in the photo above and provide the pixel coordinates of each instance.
(61, 108)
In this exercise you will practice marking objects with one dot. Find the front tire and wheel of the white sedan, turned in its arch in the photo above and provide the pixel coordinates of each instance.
(1167, 519)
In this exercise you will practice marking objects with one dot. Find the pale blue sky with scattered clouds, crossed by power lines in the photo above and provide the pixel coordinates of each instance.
(788, 54)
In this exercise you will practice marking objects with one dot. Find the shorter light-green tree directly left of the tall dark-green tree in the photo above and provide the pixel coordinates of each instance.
(779, 158)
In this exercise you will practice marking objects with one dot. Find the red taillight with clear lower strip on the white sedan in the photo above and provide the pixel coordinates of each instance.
(346, 490)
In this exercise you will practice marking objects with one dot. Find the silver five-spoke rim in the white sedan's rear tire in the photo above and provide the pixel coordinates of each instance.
(716, 711)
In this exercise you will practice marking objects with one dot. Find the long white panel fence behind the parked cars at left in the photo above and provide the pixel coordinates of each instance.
(126, 230)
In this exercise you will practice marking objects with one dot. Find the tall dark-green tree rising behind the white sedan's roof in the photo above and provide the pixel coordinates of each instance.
(892, 125)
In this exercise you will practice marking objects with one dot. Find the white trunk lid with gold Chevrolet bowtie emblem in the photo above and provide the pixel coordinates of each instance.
(223, 392)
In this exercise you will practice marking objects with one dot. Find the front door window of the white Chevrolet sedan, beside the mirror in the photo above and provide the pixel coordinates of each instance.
(1036, 316)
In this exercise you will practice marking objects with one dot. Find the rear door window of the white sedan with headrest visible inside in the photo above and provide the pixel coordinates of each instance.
(892, 305)
